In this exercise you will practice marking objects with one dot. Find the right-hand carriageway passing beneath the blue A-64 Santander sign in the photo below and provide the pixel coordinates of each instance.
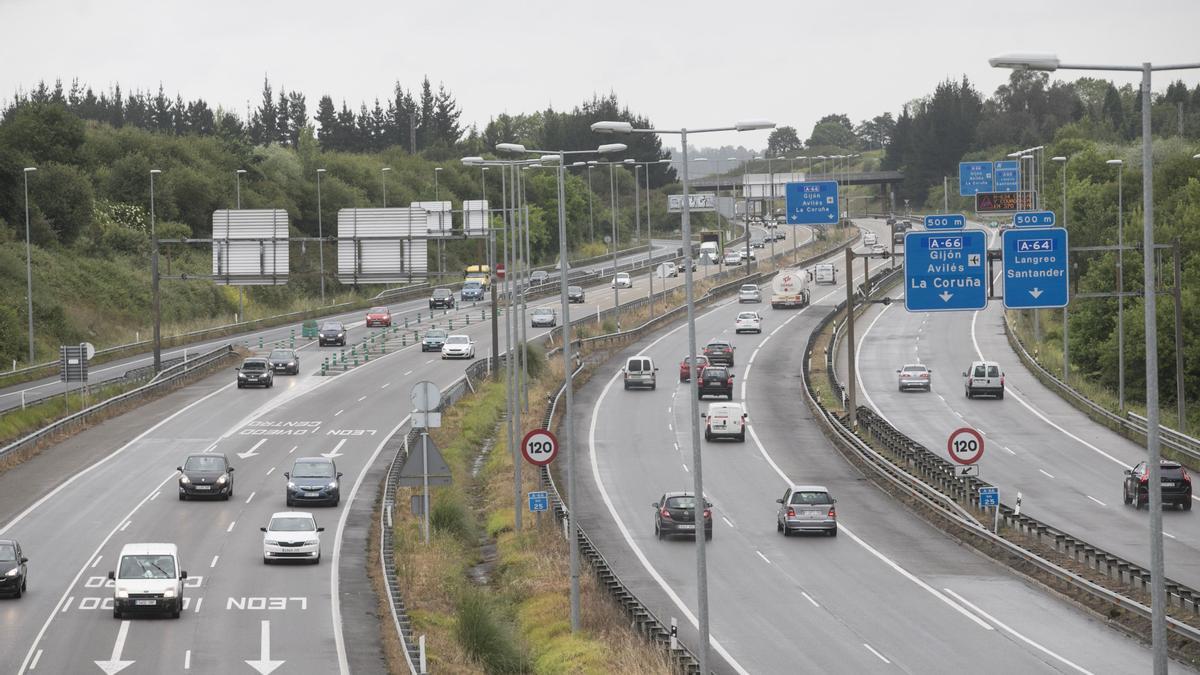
(1067, 468)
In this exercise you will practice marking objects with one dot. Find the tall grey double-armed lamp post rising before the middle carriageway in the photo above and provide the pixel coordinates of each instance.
(698, 476)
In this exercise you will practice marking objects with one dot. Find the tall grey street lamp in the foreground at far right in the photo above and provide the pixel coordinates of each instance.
(1159, 590)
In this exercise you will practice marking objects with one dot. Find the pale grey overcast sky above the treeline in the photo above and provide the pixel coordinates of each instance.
(694, 63)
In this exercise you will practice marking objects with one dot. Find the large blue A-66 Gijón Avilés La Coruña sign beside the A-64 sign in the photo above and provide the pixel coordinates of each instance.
(945, 271)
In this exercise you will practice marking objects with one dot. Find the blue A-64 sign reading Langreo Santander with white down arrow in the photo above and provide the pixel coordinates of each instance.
(1036, 273)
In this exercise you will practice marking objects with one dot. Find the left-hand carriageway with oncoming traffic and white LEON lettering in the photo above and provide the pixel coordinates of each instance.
(76, 505)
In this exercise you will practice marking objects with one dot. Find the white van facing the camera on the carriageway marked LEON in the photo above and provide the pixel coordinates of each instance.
(148, 580)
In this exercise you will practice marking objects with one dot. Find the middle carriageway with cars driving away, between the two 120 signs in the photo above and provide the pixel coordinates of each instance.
(891, 594)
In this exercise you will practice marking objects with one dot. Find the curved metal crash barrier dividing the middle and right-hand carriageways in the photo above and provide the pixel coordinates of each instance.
(933, 481)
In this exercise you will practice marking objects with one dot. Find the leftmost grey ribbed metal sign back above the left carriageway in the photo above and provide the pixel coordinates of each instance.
(250, 247)
